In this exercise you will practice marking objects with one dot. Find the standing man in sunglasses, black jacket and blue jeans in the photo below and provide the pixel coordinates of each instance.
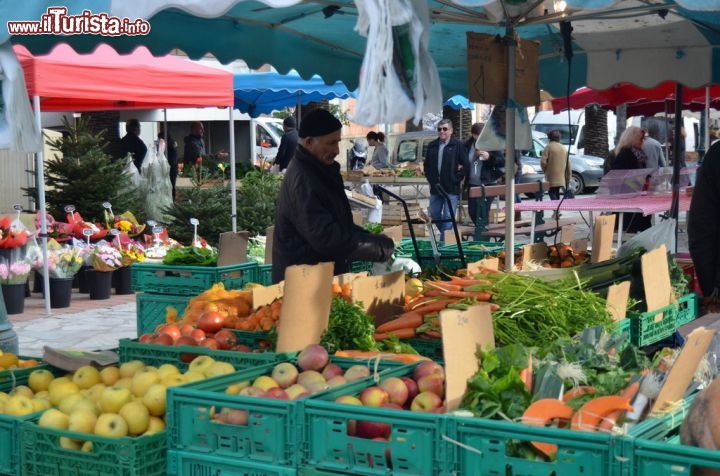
(446, 164)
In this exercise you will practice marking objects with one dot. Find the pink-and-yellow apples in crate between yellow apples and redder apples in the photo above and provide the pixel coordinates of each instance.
(287, 381)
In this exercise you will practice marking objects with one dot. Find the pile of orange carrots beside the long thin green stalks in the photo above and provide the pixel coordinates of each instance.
(420, 318)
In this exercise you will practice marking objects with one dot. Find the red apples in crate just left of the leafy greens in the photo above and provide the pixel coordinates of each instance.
(424, 391)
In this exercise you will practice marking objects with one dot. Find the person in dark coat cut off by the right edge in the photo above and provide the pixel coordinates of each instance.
(704, 228)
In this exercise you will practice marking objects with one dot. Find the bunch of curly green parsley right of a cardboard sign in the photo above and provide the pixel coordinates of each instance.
(349, 327)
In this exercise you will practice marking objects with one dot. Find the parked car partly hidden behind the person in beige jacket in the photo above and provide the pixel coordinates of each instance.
(587, 170)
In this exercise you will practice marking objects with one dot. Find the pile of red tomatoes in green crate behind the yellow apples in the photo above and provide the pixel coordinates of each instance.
(212, 336)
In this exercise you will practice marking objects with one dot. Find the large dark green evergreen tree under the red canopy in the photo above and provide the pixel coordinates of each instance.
(82, 174)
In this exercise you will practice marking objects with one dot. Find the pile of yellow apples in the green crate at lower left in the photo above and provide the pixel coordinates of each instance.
(117, 401)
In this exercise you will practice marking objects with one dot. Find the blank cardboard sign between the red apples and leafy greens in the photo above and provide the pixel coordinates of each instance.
(463, 332)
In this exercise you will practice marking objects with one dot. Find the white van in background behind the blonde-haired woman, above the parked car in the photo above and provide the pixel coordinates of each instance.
(571, 125)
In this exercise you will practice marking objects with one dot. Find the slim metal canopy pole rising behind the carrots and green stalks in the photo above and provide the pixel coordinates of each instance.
(510, 154)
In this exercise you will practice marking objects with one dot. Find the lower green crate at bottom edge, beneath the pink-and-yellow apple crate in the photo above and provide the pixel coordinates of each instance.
(185, 463)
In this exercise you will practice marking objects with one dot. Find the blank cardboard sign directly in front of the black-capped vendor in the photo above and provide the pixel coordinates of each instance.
(306, 305)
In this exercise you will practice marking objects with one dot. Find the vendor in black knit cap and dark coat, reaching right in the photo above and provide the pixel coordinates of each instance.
(313, 220)
